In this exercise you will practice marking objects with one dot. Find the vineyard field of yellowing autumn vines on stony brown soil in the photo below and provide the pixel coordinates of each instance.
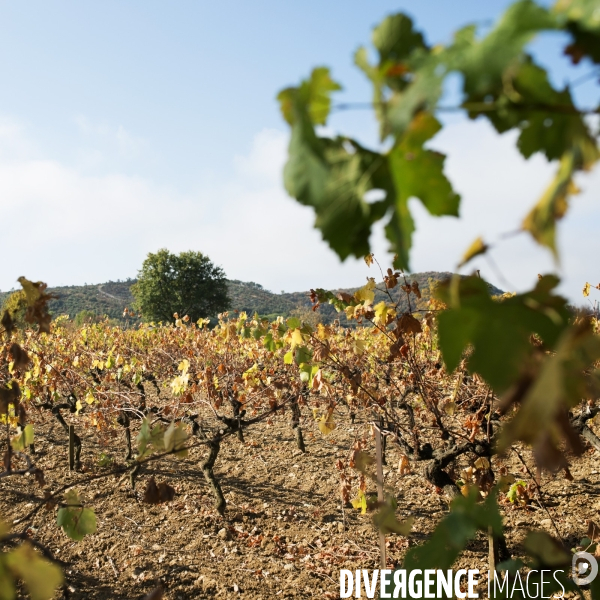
(244, 459)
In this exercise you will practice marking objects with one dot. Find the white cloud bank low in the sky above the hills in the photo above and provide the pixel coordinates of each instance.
(66, 226)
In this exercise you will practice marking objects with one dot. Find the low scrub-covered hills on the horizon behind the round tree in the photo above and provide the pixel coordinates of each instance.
(112, 297)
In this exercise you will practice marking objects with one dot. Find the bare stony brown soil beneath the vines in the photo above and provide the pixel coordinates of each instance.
(285, 533)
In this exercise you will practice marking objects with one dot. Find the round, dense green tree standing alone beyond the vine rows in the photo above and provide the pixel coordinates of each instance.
(186, 284)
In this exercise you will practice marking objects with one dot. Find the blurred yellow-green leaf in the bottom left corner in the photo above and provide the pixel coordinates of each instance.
(41, 577)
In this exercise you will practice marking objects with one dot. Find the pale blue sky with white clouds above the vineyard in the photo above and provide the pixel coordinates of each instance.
(126, 127)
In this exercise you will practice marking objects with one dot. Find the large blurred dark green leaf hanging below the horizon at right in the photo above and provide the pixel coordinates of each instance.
(498, 330)
